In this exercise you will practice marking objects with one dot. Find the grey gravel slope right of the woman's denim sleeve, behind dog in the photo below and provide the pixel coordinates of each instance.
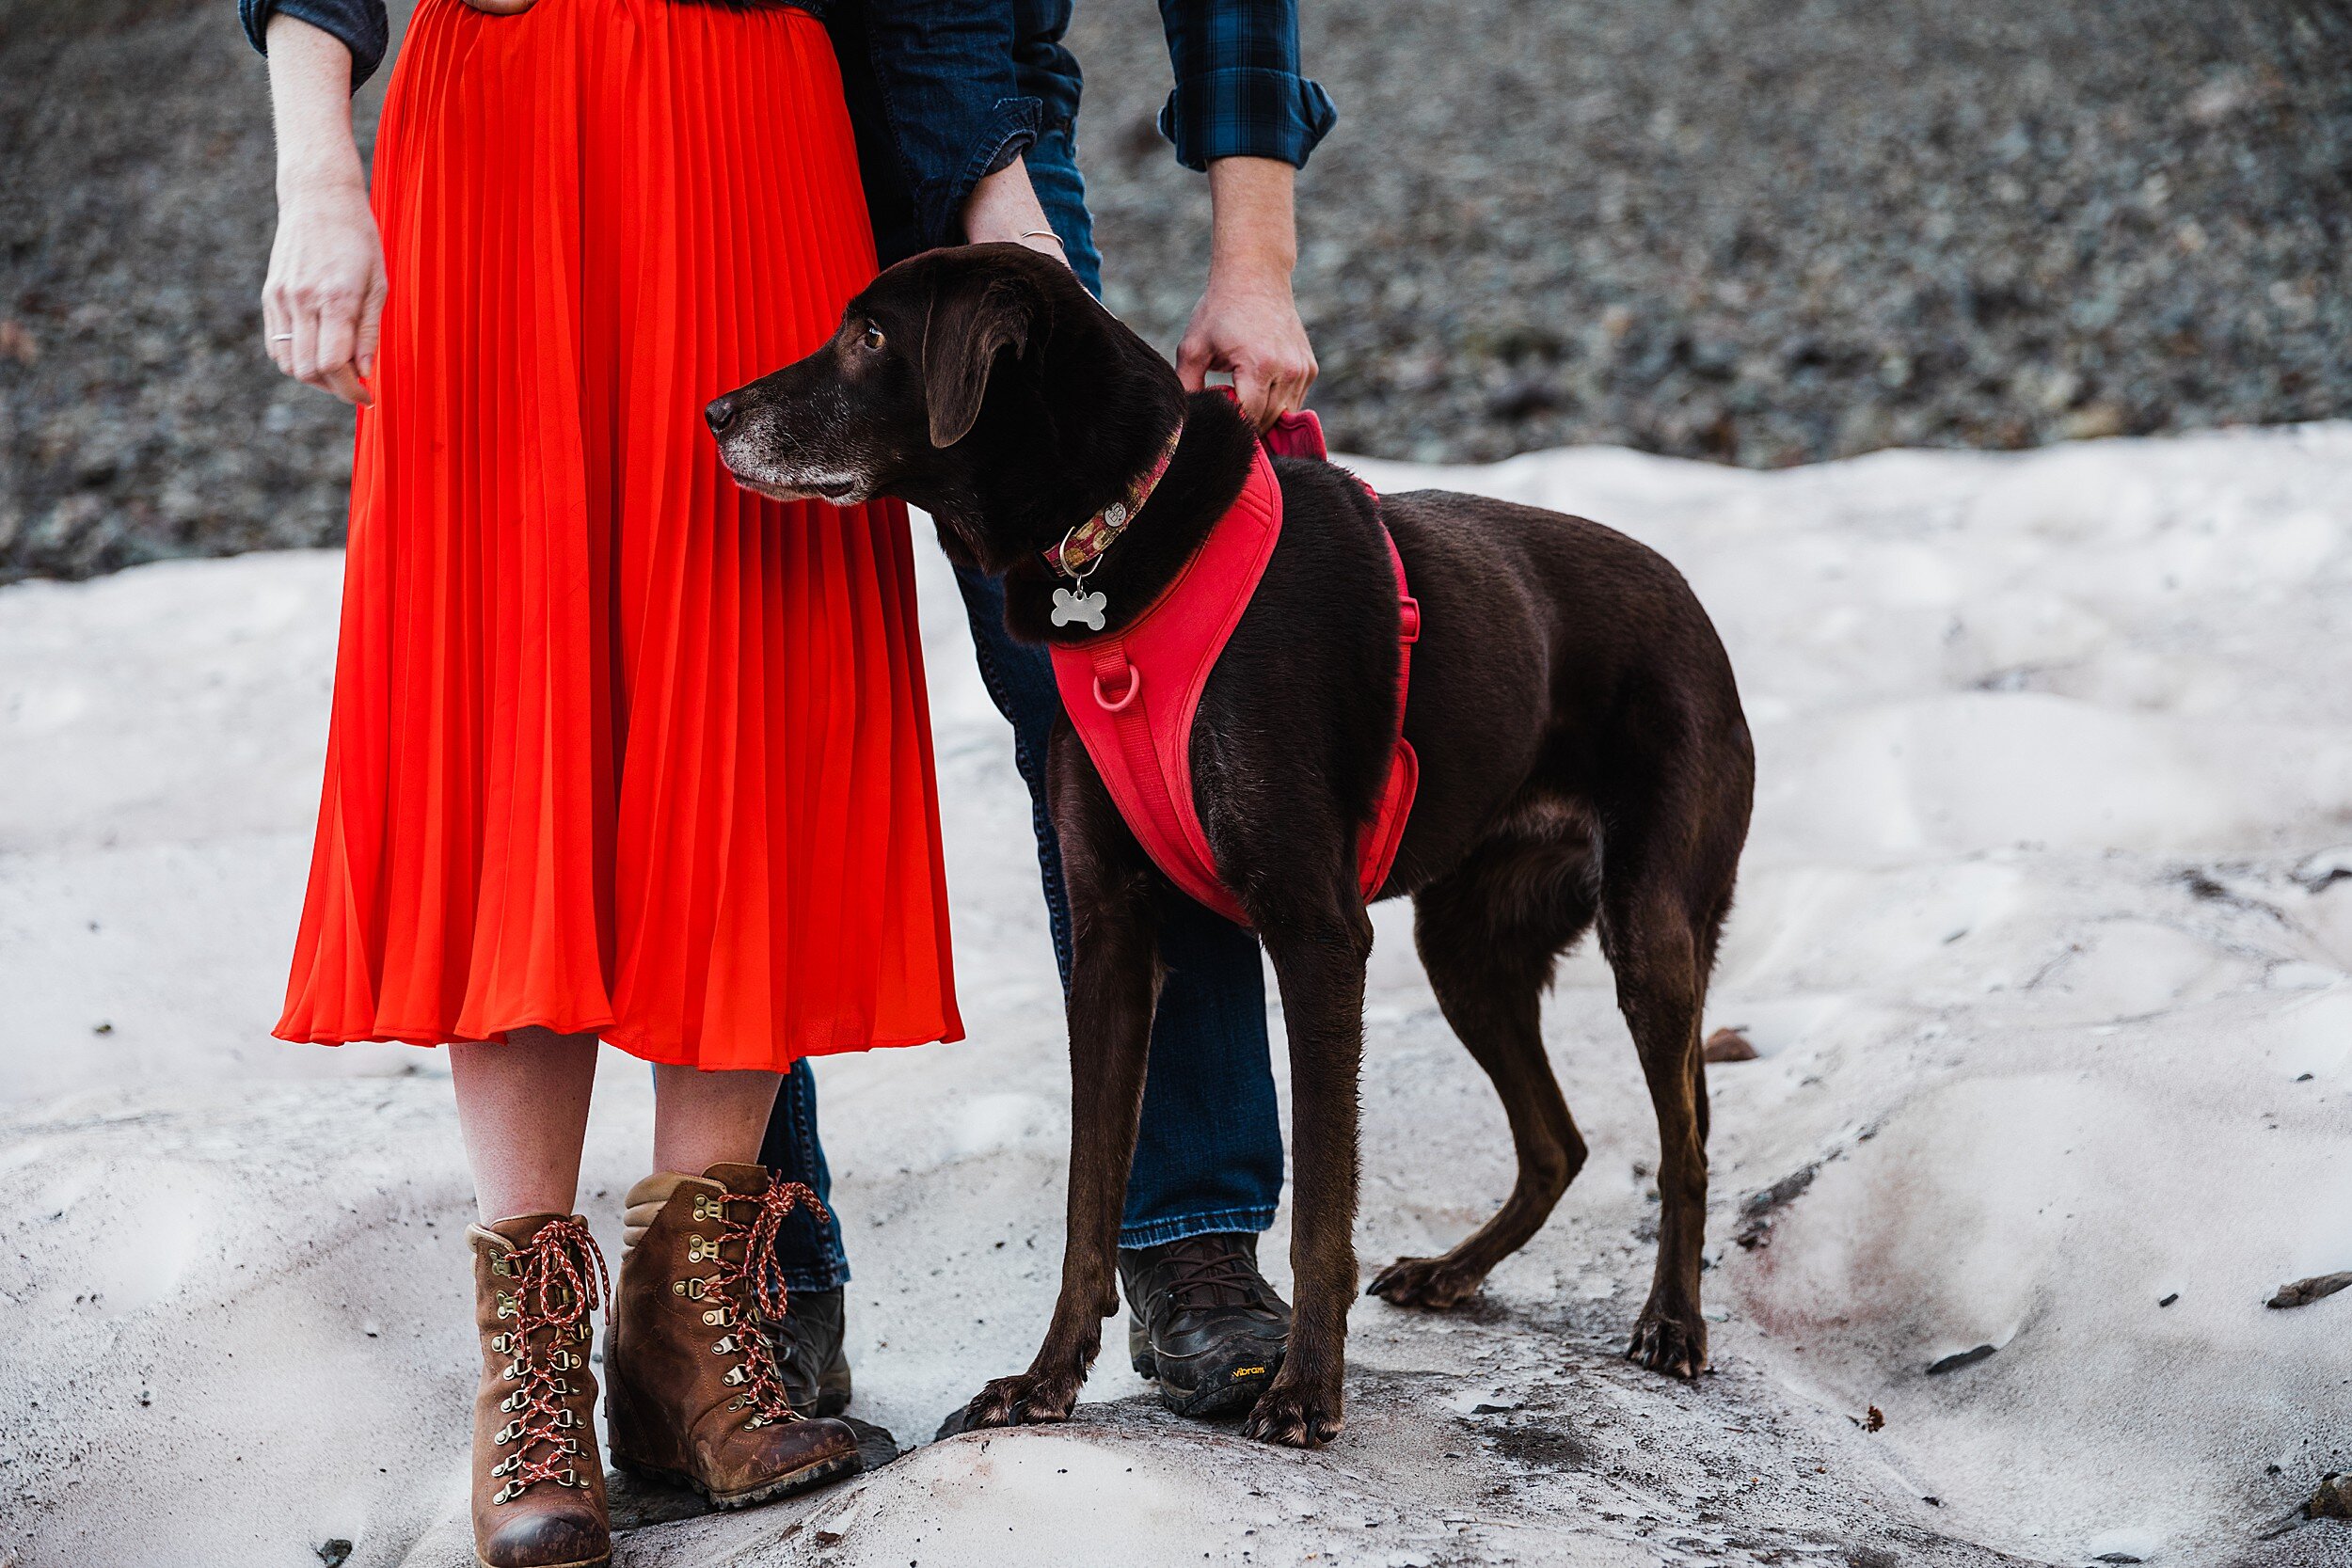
(1775, 234)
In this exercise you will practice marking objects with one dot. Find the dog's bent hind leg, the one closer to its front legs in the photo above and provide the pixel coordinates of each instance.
(1488, 937)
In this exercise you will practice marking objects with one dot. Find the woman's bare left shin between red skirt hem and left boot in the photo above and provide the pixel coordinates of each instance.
(526, 1113)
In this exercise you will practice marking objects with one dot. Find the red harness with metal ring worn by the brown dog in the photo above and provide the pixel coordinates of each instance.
(1135, 695)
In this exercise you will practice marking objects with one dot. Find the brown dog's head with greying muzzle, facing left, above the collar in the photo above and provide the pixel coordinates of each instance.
(982, 384)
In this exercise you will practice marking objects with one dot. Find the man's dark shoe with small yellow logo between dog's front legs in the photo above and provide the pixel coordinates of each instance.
(1205, 1322)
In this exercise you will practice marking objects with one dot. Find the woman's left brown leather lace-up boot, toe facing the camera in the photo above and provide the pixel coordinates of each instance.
(537, 1480)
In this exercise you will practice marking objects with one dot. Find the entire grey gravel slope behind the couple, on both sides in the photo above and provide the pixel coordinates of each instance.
(1756, 232)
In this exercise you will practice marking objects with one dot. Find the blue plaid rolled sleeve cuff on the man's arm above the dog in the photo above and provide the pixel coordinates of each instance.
(1238, 88)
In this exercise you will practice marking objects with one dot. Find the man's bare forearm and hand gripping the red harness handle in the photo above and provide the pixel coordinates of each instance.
(1248, 321)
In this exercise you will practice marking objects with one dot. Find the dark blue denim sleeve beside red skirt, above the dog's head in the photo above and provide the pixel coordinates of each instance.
(944, 72)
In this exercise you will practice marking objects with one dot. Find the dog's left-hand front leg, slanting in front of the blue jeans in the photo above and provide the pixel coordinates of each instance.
(1114, 989)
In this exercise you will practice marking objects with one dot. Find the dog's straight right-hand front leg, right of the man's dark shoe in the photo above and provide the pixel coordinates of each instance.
(1321, 970)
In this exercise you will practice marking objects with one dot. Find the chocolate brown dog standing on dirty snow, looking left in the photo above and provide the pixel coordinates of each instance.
(1584, 763)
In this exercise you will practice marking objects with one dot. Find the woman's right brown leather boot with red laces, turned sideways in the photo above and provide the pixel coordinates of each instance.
(693, 1388)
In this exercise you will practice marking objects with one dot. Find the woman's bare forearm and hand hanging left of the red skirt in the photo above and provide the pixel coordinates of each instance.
(323, 297)
